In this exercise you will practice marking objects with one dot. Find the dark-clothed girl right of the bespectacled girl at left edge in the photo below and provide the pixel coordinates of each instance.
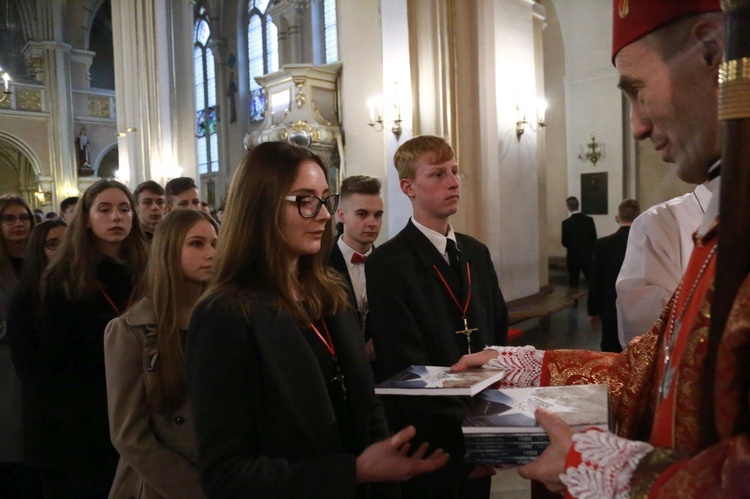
(23, 336)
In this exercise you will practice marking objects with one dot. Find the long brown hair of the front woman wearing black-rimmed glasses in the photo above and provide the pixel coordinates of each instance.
(251, 257)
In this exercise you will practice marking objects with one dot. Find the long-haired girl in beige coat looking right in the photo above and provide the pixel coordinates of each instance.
(150, 420)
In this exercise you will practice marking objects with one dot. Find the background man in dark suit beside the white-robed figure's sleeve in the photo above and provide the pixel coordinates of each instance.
(608, 255)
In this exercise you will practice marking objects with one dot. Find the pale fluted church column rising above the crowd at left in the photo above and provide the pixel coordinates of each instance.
(153, 82)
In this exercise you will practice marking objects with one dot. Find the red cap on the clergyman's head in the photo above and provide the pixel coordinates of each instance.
(632, 19)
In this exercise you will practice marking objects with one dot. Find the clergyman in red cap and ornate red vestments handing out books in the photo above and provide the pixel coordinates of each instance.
(672, 439)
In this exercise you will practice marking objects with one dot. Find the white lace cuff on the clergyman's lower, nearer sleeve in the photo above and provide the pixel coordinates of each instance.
(608, 463)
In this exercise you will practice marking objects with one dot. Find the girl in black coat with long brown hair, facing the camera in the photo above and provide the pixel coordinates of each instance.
(90, 282)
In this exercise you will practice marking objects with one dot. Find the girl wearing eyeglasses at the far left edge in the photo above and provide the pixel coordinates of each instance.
(16, 222)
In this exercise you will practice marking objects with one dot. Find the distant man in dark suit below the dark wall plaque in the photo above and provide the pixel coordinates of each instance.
(578, 236)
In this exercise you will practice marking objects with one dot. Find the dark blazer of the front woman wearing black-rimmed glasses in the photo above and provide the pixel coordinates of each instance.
(265, 424)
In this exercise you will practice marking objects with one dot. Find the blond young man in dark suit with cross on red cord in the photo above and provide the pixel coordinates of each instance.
(433, 294)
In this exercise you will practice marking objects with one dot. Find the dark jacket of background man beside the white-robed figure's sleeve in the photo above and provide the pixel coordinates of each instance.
(608, 255)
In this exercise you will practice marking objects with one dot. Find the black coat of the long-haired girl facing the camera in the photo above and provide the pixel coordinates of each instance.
(72, 384)
